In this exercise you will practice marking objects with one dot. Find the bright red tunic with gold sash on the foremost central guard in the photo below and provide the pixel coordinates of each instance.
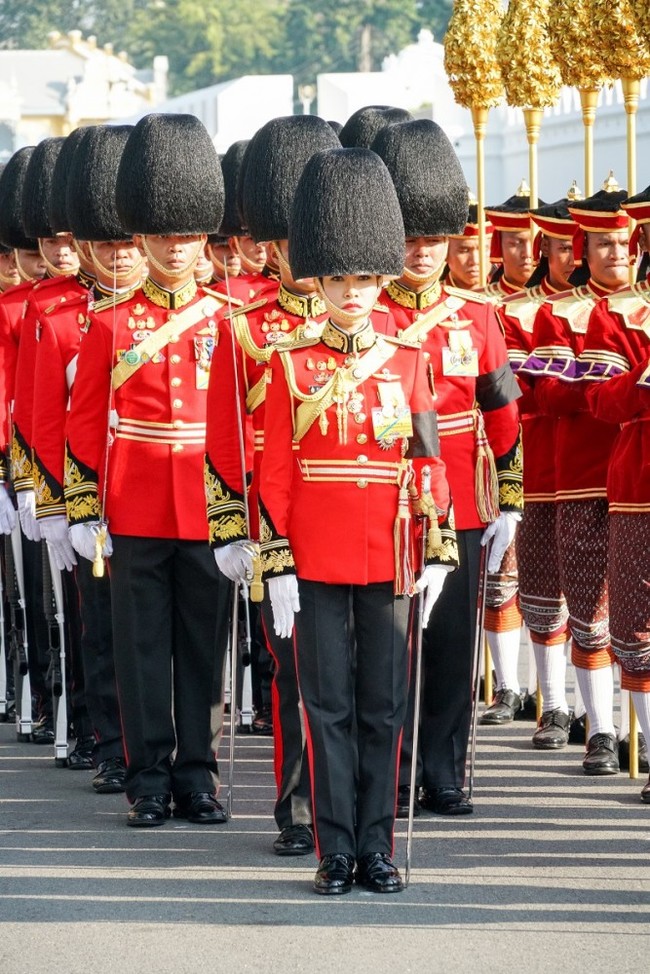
(328, 489)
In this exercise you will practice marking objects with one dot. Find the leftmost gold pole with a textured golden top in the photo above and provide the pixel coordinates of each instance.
(475, 79)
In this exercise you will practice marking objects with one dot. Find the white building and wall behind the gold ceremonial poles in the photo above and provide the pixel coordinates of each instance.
(415, 79)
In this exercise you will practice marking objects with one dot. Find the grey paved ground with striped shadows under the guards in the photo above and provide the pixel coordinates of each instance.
(552, 872)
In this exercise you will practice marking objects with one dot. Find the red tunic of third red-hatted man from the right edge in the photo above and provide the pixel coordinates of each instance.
(517, 316)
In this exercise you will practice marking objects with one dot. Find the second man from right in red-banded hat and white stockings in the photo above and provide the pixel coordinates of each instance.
(582, 450)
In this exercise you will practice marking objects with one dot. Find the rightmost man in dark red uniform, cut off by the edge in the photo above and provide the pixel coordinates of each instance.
(616, 365)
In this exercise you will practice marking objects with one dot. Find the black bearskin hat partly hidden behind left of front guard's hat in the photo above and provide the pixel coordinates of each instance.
(275, 159)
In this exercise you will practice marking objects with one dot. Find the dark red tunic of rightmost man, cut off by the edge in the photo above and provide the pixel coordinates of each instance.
(615, 361)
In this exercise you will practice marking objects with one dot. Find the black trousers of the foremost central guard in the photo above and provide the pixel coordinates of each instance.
(354, 710)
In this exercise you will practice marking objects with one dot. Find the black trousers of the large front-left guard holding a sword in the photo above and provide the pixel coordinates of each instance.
(170, 626)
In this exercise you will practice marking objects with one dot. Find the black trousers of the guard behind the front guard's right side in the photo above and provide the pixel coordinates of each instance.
(447, 654)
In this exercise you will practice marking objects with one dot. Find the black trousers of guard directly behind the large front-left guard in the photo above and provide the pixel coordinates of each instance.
(98, 663)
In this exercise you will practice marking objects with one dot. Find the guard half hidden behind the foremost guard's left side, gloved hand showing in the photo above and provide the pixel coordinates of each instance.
(276, 158)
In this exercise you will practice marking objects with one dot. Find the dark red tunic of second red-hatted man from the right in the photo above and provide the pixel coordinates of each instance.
(583, 443)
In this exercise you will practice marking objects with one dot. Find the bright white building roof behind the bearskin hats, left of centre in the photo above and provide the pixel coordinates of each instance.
(233, 110)
